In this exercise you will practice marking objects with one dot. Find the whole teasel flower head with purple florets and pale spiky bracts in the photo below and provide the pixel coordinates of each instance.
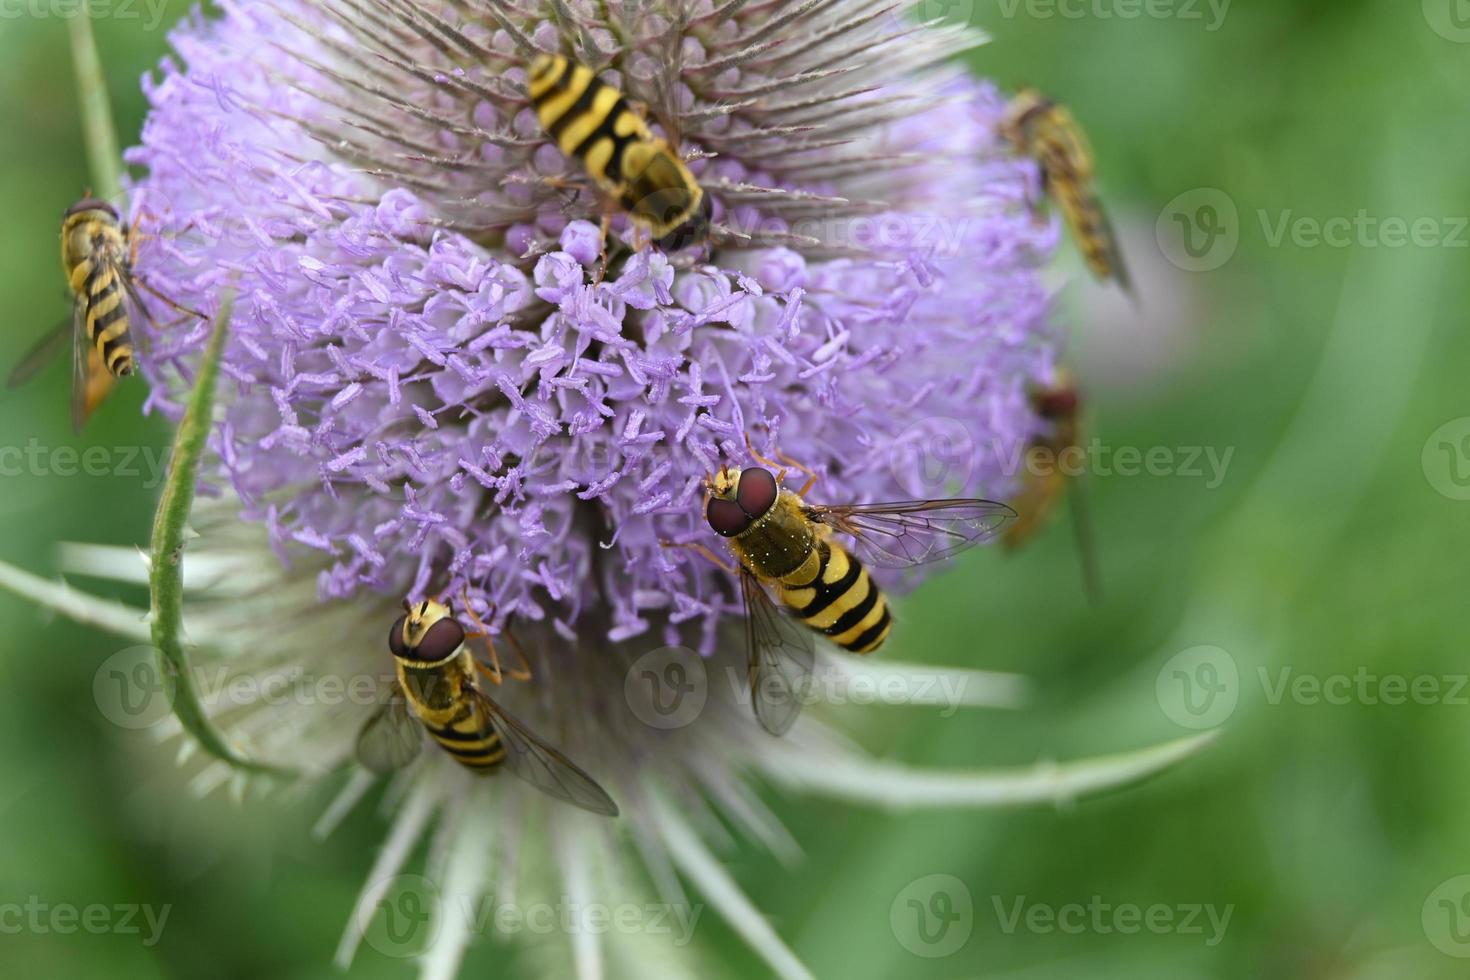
(433, 389)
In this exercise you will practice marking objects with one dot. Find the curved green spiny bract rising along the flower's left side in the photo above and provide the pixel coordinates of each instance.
(167, 568)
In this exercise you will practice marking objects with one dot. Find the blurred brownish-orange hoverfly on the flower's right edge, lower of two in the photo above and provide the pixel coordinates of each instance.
(1047, 481)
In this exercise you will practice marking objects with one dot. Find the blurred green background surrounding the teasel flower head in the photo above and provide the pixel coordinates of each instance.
(1327, 550)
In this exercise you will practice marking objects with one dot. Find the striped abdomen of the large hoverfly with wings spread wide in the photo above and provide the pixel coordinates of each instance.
(833, 594)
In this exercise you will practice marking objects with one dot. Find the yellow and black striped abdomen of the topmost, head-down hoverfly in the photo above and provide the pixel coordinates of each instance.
(589, 118)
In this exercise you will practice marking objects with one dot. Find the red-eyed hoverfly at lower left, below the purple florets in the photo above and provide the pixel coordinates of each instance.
(437, 693)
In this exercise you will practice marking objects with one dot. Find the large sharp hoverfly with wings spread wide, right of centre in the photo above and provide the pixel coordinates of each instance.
(789, 546)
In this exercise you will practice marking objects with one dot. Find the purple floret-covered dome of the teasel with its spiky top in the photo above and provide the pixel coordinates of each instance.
(433, 386)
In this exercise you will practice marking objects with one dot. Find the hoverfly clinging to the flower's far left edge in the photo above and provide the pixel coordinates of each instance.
(98, 259)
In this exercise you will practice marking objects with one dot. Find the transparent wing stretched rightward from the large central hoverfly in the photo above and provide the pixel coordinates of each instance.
(905, 534)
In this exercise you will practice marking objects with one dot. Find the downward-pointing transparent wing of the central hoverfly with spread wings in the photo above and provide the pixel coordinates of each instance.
(781, 657)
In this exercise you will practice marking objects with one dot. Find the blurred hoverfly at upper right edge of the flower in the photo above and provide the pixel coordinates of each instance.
(1047, 133)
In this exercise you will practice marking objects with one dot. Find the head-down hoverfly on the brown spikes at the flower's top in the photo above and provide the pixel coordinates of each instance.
(593, 123)
